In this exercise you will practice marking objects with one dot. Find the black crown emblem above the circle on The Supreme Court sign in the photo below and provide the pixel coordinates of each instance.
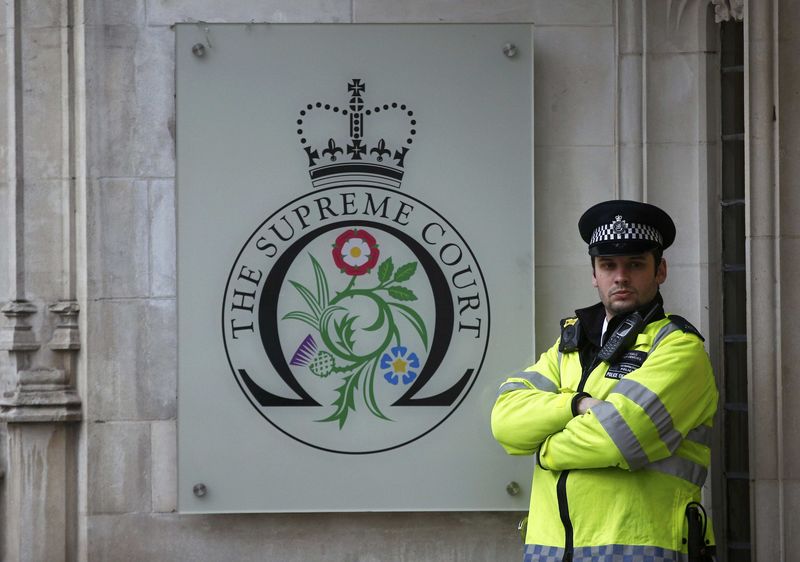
(370, 157)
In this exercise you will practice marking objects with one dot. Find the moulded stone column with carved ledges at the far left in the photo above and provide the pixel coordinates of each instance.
(39, 334)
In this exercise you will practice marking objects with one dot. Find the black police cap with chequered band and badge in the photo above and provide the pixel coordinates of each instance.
(620, 227)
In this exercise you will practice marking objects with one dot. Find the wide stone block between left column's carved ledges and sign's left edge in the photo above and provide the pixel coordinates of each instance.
(133, 360)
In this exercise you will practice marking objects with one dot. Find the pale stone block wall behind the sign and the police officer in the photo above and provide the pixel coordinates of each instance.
(623, 107)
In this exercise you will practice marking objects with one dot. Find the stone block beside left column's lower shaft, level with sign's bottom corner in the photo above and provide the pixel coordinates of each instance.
(119, 468)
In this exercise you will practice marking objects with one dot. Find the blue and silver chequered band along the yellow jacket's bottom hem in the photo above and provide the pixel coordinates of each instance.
(603, 553)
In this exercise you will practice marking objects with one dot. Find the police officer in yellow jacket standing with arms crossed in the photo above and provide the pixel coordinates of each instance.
(618, 412)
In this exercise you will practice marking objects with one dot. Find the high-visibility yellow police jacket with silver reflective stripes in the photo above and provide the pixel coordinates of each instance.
(615, 481)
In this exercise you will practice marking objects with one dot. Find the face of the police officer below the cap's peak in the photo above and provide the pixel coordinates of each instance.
(625, 283)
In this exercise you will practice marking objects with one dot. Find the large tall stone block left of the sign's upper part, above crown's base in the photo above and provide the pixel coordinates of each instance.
(130, 101)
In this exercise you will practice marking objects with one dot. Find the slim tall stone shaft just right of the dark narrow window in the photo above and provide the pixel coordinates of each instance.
(763, 292)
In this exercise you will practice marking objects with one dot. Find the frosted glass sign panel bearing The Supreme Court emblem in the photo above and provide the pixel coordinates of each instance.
(355, 264)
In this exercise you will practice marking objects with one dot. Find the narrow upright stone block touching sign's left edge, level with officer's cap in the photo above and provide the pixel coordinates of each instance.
(162, 238)
